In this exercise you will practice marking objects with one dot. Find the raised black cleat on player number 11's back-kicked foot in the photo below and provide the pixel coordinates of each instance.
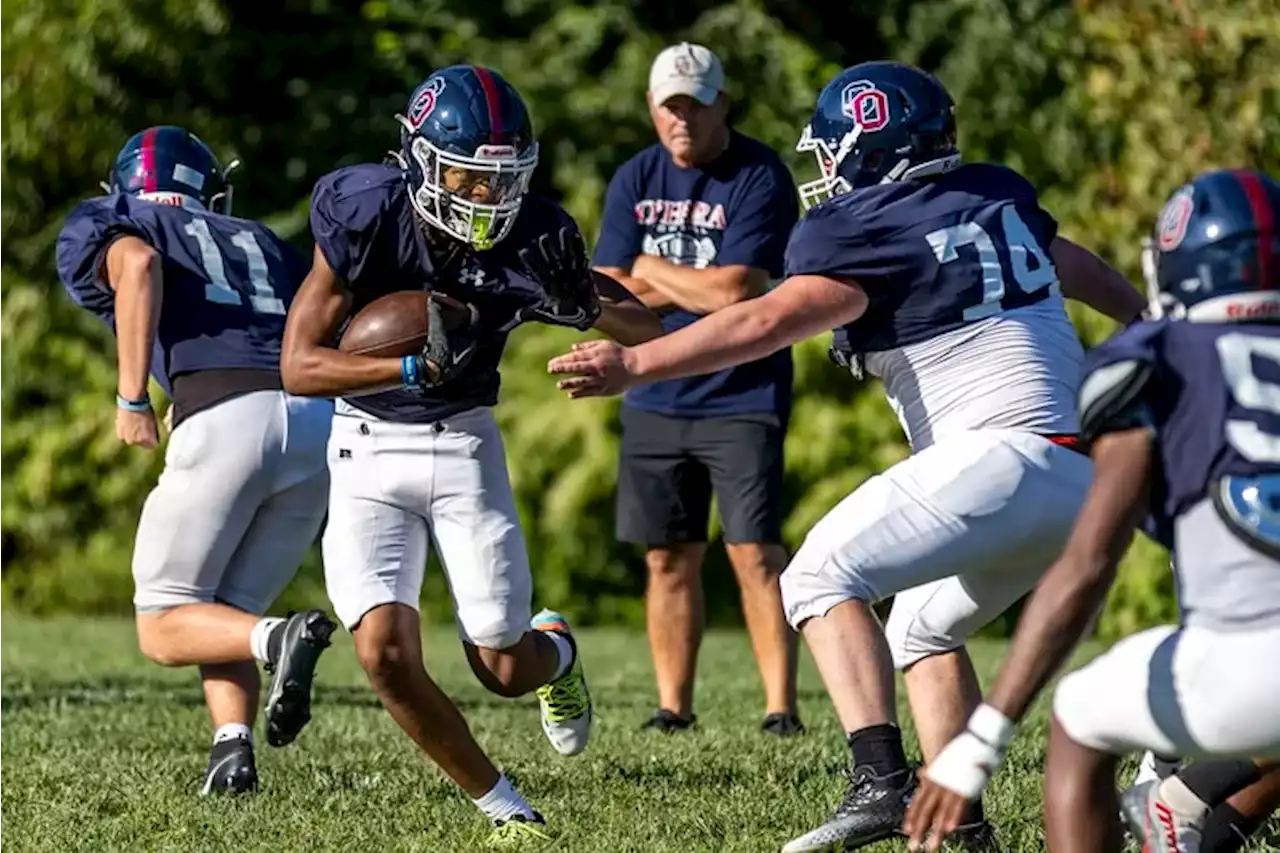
(289, 701)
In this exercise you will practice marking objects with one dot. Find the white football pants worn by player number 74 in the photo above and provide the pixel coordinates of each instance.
(957, 533)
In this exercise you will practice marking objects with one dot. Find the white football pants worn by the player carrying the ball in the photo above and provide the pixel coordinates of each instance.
(397, 487)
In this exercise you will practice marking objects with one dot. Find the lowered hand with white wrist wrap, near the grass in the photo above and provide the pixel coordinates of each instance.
(957, 778)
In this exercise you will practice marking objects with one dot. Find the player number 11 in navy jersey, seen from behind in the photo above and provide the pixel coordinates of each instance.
(199, 298)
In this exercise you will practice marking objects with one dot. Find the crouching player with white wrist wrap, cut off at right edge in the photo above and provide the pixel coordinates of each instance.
(1183, 418)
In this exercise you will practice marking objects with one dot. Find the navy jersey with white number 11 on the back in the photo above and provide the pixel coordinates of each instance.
(228, 282)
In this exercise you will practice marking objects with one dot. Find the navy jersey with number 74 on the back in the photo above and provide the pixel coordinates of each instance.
(931, 256)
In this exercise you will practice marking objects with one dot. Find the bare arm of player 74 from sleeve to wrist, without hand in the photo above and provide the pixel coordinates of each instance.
(798, 309)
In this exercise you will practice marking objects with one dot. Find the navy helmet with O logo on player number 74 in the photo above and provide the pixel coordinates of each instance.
(879, 122)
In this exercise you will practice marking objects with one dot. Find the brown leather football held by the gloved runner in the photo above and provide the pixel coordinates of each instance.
(396, 325)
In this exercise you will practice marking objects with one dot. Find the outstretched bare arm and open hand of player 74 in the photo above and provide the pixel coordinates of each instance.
(798, 309)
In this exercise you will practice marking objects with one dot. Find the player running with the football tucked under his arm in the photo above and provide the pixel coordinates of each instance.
(417, 457)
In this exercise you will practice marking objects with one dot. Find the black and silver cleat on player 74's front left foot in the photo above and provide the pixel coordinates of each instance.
(874, 809)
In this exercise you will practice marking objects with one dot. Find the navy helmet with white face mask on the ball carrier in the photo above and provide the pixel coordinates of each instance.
(468, 150)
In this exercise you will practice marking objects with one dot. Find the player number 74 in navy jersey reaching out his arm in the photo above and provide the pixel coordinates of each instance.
(948, 282)
